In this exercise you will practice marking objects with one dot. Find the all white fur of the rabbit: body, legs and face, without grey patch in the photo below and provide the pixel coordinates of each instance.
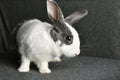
(36, 45)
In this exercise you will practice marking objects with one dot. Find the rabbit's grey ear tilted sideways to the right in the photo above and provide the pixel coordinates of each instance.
(76, 16)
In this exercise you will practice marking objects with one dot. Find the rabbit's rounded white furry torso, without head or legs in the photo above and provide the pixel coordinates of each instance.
(35, 41)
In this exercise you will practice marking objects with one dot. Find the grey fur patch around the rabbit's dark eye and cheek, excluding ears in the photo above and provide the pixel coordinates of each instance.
(61, 32)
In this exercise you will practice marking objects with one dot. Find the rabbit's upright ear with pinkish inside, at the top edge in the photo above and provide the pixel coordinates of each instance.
(54, 12)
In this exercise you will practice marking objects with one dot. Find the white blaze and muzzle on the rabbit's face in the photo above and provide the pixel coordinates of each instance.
(73, 49)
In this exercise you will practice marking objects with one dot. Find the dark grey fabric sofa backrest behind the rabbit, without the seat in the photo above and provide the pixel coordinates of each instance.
(99, 31)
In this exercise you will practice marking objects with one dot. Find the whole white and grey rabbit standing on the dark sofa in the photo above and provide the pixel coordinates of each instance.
(42, 42)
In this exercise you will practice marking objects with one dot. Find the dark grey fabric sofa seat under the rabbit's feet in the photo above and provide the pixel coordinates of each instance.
(78, 68)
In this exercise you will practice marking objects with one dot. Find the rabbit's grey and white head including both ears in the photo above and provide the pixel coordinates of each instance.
(63, 33)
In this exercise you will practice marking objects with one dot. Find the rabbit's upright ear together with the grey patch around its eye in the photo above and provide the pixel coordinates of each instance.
(60, 31)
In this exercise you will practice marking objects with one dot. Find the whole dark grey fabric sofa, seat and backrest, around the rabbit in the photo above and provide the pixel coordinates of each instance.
(99, 33)
